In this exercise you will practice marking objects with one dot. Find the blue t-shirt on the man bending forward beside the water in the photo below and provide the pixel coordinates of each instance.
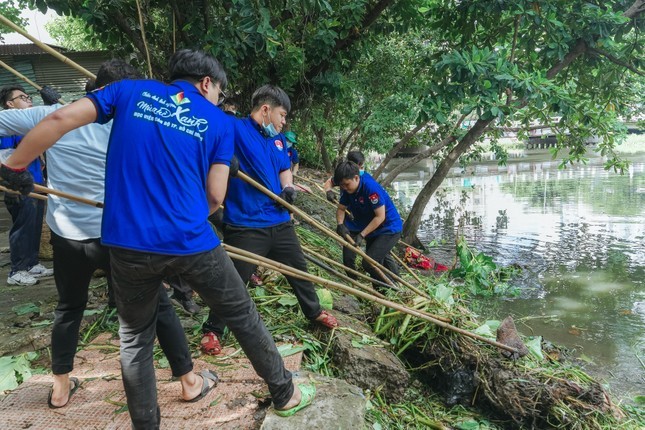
(369, 196)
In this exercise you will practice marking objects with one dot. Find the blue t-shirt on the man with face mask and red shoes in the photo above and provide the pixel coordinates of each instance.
(262, 158)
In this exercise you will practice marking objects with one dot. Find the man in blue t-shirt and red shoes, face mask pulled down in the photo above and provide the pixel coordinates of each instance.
(252, 220)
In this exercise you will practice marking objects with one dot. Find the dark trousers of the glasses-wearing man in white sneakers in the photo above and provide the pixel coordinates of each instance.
(24, 236)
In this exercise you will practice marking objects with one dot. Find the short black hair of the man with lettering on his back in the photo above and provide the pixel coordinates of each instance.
(193, 65)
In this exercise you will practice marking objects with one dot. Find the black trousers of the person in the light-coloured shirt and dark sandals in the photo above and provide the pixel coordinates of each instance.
(74, 263)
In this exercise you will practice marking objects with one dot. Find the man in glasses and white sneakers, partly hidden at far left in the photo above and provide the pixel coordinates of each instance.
(26, 212)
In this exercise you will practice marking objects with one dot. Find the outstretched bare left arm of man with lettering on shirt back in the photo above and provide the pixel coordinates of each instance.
(50, 129)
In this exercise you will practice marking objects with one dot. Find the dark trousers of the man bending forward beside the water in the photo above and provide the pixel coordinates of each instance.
(377, 247)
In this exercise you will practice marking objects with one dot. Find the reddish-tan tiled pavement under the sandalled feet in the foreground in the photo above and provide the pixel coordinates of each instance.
(236, 403)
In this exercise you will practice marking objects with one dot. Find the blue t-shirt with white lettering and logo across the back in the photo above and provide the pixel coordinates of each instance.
(164, 139)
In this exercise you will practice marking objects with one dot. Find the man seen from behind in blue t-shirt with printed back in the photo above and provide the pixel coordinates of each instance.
(166, 170)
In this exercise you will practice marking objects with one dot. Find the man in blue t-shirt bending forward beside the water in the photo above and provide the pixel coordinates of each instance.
(376, 220)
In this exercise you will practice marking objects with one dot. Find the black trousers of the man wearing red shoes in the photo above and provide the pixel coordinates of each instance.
(279, 243)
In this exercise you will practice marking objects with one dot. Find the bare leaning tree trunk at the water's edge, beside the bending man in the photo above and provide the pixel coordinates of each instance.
(414, 218)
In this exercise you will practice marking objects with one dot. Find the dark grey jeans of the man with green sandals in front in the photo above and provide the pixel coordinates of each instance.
(137, 280)
